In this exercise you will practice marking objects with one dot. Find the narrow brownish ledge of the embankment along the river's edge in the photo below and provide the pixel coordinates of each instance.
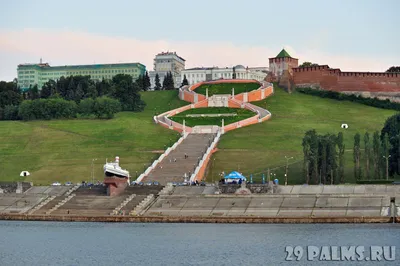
(199, 219)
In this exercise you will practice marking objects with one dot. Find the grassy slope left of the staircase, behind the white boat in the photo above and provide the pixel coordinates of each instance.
(62, 150)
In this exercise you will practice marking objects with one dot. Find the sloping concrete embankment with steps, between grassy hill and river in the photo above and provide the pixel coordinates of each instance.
(282, 204)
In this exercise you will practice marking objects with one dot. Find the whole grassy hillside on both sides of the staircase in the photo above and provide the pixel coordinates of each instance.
(62, 150)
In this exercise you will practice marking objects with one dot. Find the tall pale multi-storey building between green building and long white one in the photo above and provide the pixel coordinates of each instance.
(167, 62)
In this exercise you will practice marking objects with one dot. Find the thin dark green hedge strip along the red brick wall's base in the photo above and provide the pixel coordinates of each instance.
(375, 102)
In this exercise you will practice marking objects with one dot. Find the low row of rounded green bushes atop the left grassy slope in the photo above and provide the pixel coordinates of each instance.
(56, 108)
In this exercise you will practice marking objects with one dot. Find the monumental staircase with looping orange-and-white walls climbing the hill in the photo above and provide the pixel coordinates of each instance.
(199, 142)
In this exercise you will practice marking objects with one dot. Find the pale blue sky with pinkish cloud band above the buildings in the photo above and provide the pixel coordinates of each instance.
(356, 35)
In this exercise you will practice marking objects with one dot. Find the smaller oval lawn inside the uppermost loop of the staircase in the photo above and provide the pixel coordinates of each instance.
(226, 88)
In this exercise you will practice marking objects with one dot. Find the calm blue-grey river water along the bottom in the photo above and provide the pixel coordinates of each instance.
(59, 243)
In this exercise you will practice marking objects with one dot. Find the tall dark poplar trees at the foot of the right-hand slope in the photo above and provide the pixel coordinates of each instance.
(376, 157)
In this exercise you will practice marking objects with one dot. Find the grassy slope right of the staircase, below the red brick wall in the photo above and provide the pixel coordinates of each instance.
(254, 149)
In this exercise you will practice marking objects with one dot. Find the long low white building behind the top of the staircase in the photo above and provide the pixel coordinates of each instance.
(199, 74)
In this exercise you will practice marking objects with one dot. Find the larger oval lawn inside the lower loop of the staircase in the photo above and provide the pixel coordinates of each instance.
(197, 121)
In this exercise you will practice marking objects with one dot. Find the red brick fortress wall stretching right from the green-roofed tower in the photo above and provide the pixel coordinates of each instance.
(334, 79)
